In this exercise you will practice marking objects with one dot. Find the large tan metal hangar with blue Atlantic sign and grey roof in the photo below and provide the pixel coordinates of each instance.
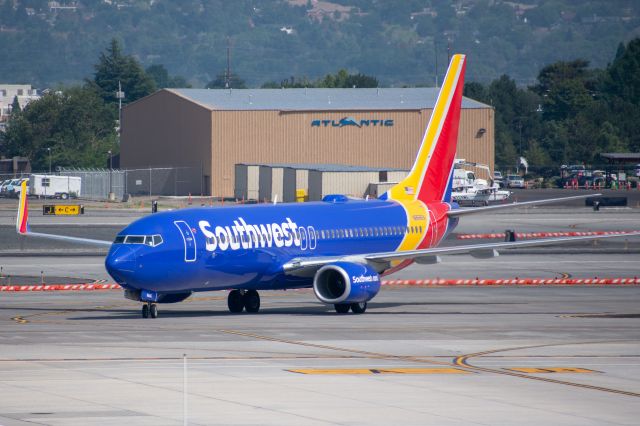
(210, 131)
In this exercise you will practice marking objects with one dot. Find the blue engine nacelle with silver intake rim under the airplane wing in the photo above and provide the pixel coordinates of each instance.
(345, 282)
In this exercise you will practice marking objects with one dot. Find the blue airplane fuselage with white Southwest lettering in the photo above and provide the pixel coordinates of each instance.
(201, 249)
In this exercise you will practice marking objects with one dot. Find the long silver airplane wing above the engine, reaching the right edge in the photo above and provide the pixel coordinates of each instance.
(307, 266)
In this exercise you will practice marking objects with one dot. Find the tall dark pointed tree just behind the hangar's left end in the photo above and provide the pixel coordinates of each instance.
(113, 67)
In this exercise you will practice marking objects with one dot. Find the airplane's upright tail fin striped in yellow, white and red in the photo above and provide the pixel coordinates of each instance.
(432, 173)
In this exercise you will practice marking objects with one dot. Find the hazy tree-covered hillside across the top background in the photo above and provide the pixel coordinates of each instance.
(45, 42)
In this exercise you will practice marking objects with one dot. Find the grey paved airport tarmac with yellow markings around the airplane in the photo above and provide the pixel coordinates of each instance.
(469, 355)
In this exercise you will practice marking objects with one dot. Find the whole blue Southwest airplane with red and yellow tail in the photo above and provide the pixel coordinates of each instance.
(340, 246)
